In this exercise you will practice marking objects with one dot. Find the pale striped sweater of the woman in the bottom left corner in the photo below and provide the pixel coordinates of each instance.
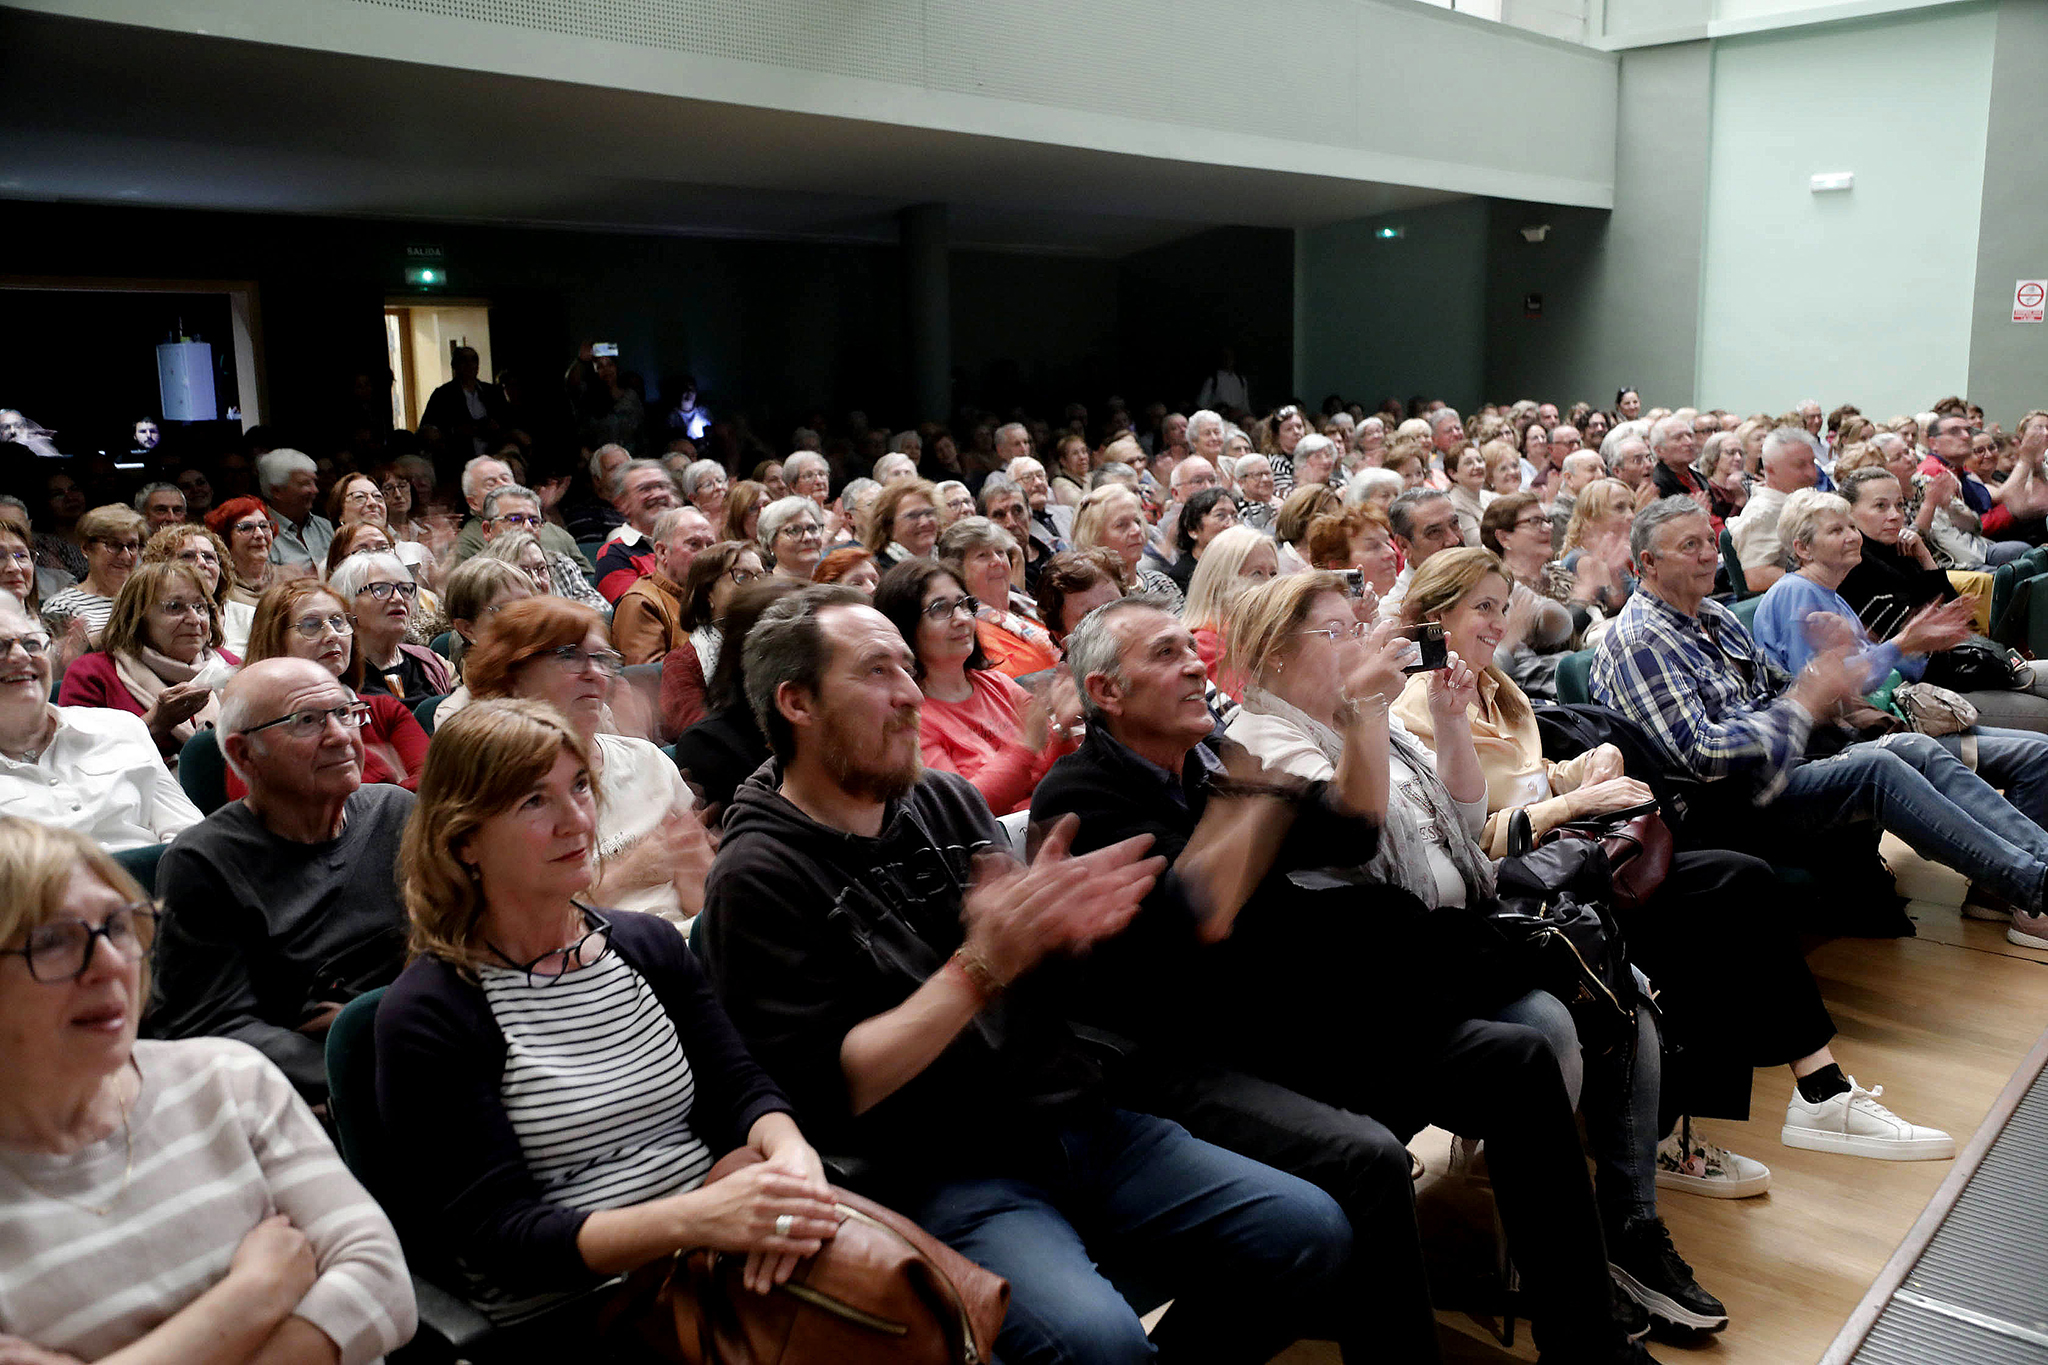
(220, 1143)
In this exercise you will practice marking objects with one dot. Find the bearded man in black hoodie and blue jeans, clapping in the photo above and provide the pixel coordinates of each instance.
(861, 922)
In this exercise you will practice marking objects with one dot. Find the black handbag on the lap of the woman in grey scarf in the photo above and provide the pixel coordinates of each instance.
(1553, 904)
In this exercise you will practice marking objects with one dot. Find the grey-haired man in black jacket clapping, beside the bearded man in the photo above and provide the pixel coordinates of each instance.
(1148, 770)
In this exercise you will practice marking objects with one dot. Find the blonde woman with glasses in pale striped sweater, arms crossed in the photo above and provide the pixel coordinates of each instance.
(187, 1174)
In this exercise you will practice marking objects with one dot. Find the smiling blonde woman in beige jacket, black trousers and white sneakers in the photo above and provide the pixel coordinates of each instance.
(1730, 1002)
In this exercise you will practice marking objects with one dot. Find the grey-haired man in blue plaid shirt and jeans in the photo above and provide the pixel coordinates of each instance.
(1687, 670)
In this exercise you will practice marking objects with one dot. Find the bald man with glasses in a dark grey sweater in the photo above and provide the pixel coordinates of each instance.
(282, 908)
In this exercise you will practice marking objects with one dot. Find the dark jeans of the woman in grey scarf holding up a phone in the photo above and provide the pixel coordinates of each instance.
(1621, 1094)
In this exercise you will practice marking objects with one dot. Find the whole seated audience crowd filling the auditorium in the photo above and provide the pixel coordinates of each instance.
(1091, 836)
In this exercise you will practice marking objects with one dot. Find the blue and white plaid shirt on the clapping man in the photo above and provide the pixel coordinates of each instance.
(1703, 693)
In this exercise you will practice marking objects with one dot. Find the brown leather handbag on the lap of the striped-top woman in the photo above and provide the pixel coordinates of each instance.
(884, 1290)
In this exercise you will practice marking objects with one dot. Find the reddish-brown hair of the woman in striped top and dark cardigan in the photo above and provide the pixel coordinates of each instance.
(480, 764)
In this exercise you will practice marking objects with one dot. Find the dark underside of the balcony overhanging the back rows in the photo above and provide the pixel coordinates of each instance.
(110, 114)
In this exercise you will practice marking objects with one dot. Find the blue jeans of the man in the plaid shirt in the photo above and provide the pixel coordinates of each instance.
(1916, 789)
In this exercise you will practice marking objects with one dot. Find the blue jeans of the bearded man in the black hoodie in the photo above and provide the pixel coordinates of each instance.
(1250, 1256)
